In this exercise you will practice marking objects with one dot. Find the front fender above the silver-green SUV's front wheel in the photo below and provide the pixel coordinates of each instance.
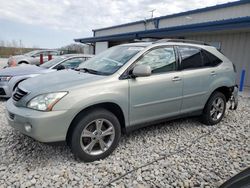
(81, 99)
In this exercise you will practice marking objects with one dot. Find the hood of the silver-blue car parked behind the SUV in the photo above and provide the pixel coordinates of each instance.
(23, 70)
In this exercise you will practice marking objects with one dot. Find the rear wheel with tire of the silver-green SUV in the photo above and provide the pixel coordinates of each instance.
(214, 109)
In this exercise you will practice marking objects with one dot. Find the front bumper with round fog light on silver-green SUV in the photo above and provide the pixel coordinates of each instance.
(45, 126)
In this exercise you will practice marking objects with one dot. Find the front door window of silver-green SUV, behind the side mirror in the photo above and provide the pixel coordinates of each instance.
(160, 60)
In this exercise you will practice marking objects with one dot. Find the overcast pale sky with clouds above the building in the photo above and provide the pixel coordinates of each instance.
(54, 23)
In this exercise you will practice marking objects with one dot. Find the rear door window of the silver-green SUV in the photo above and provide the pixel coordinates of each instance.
(190, 57)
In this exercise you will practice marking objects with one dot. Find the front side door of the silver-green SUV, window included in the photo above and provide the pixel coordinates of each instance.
(157, 96)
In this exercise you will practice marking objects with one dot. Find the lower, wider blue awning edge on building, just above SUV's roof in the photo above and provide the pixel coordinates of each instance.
(236, 23)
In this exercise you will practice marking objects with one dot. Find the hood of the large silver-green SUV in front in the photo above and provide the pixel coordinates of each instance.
(57, 81)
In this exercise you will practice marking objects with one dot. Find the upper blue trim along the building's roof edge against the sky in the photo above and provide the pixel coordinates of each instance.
(216, 7)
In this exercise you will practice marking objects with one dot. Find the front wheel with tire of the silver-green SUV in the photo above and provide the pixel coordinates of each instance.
(95, 144)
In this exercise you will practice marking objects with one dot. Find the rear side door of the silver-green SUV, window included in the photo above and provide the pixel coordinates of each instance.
(196, 79)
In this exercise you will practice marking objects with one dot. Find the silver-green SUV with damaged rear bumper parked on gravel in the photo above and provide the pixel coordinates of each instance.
(124, 88)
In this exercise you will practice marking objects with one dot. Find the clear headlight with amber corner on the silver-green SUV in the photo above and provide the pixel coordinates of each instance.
(45, 102)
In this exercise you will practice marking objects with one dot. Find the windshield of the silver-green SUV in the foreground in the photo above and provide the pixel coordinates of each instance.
(109, 61)
